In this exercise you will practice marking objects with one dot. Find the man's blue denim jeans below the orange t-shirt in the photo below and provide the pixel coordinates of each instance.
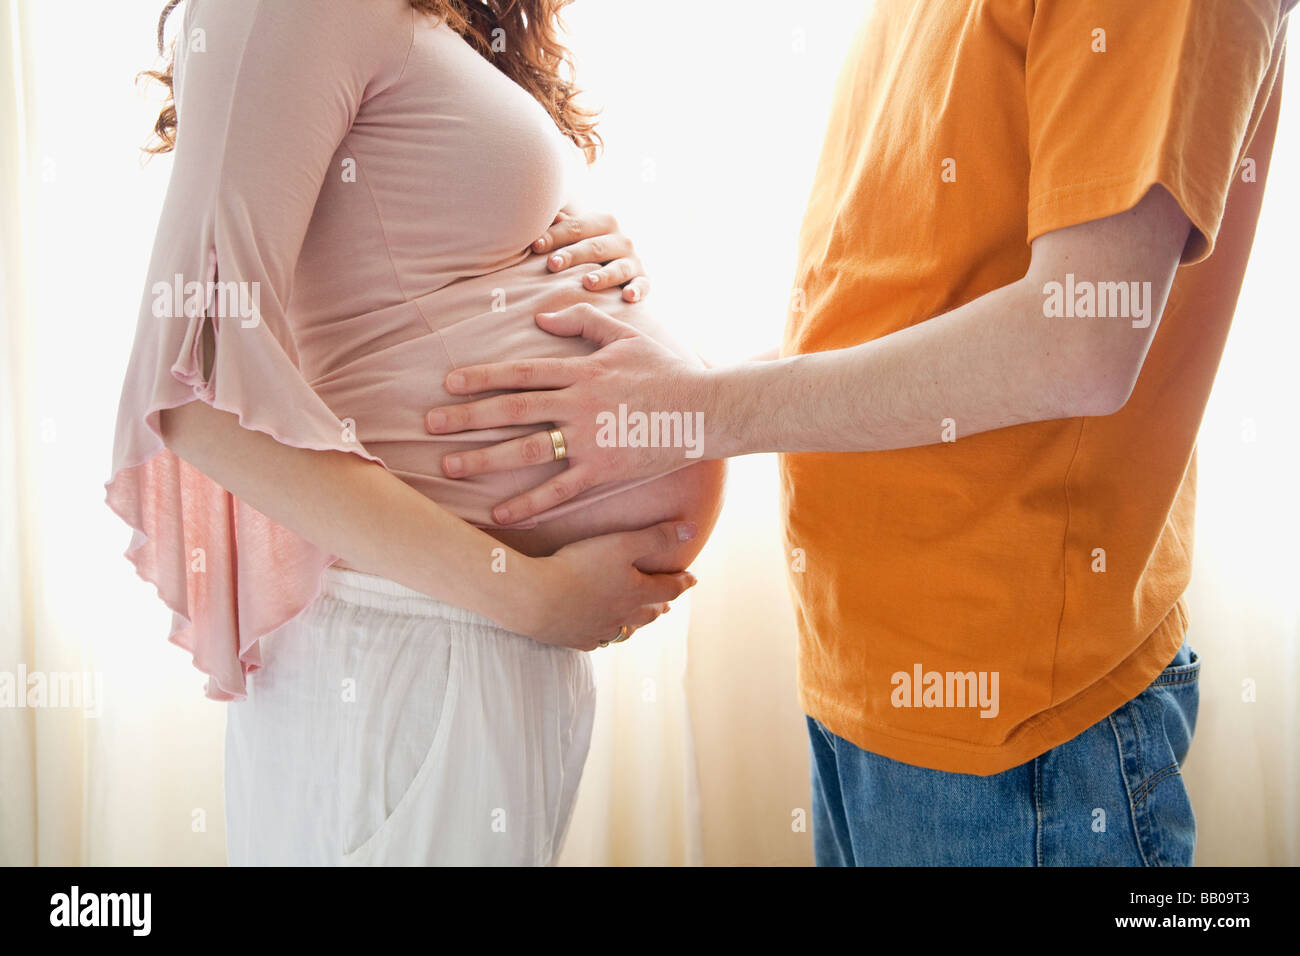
(1112, 797)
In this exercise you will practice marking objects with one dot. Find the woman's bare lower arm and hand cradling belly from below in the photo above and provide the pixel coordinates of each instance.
(359, 512)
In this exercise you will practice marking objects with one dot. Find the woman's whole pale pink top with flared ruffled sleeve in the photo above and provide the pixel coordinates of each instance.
(353, 197)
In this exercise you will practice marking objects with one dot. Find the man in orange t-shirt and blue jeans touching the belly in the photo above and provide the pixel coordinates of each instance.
(993, 380)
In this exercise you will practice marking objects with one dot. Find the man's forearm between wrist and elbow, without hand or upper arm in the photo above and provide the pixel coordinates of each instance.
(989, 365)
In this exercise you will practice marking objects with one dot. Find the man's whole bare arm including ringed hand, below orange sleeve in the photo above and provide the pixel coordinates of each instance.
(998, 361)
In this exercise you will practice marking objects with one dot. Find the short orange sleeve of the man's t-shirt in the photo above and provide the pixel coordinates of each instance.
(1124, 96)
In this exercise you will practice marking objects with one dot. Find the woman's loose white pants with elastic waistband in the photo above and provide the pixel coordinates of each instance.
(391, 729)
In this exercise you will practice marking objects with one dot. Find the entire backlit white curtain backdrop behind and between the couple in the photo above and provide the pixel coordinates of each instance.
(714, 116)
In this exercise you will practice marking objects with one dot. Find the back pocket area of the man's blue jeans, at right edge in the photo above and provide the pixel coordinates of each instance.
(1154, 733)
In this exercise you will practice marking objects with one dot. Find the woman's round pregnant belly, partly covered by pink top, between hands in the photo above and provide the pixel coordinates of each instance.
(384, 396)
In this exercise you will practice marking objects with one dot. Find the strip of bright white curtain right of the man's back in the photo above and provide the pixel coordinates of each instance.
(1245, 599)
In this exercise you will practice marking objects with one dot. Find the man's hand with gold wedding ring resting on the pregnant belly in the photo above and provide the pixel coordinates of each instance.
(630, 369)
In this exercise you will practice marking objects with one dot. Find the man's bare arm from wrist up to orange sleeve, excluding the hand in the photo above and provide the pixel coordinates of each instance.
(998, 361)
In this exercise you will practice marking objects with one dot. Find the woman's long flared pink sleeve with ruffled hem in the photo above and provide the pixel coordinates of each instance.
(266, 93)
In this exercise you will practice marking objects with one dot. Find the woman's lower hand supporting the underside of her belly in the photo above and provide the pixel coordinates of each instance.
(584, 594)
